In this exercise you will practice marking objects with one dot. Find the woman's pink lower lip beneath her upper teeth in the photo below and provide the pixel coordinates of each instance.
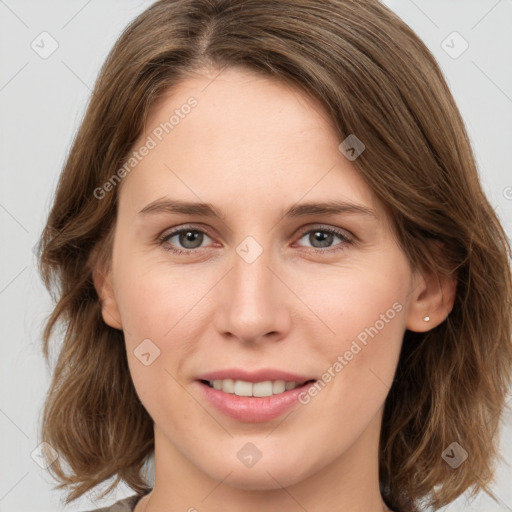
(252, 409)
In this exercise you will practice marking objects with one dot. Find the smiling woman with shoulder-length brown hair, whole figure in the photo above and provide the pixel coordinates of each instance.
(277, 269)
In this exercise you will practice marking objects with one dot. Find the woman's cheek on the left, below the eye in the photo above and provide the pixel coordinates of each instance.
(159, 307)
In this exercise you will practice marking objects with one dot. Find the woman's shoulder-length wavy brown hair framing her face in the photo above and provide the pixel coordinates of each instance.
(377, 80)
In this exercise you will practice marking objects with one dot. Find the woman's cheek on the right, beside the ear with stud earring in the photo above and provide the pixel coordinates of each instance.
(365, 312)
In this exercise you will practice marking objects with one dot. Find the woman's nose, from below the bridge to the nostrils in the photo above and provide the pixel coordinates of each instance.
(253, 301)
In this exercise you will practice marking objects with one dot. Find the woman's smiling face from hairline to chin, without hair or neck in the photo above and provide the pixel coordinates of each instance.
(268, 285)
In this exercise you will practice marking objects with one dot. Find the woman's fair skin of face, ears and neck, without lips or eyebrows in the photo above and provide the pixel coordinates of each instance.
(253, 147)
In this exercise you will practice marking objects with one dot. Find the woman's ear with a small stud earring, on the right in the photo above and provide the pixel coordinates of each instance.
(433, 296)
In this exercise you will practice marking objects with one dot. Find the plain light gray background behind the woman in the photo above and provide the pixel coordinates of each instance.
(41, 104)
